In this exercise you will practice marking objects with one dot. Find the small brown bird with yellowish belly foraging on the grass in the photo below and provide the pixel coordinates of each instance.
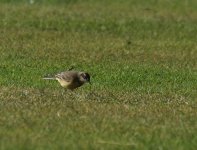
(71, 79)
